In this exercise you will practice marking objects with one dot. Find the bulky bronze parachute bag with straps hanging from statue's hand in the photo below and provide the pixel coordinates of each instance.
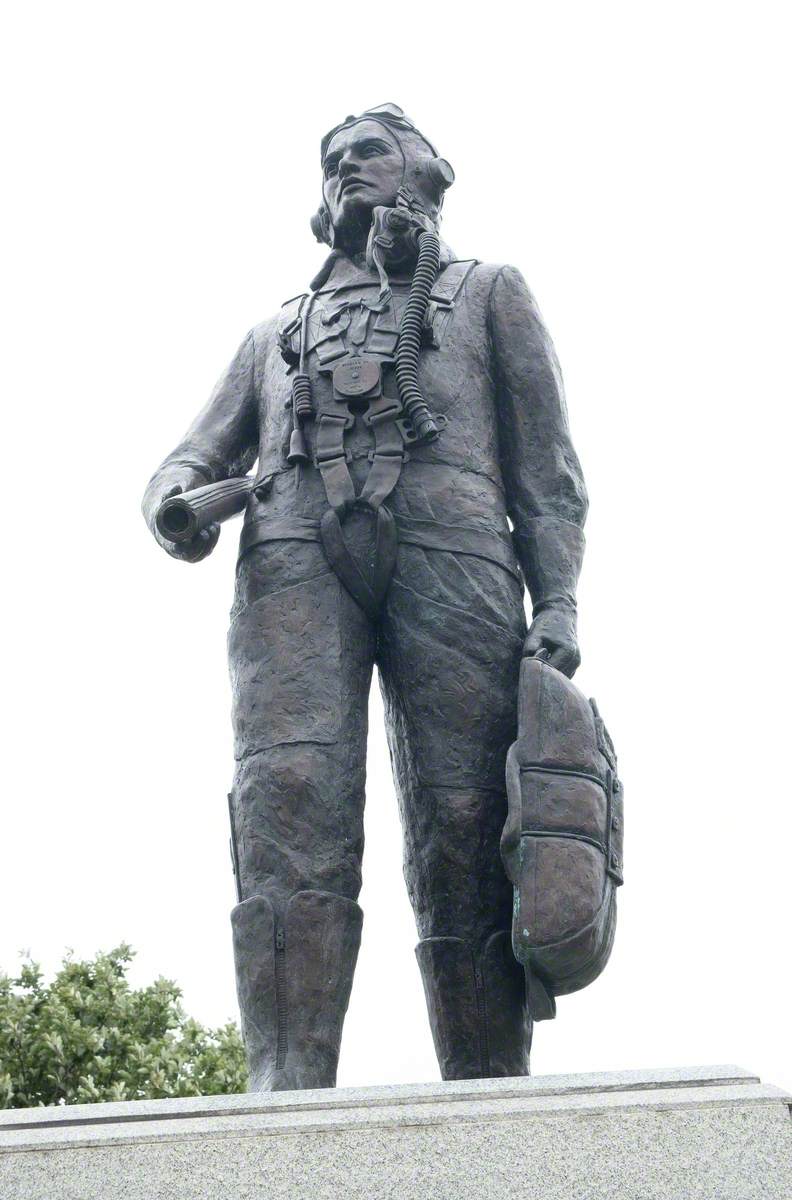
(562, 843)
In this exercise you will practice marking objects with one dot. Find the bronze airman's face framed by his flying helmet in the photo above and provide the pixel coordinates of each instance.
(363, 169)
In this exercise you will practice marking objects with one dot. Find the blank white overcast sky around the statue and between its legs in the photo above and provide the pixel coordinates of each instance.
(633, 161)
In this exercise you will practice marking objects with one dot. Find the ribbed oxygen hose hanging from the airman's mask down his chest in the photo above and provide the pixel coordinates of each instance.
(410, 339)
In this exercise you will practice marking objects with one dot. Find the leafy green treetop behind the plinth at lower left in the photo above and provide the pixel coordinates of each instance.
(89, 1036)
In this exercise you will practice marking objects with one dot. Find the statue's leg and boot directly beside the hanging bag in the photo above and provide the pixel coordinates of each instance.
(449, 664)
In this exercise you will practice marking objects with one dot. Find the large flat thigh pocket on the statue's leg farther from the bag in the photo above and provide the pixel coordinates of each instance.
(285, 662)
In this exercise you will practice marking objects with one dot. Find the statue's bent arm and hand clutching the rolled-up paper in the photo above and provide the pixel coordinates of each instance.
(223, 442)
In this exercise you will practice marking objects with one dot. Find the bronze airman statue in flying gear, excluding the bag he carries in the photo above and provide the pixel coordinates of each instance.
(415, 471)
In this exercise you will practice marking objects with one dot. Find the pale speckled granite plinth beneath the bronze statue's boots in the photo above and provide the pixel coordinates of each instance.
(715, 1133)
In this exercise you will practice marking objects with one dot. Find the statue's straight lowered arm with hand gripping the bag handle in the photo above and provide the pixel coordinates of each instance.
(547, 496)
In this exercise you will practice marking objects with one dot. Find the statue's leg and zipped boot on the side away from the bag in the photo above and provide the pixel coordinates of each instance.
(301, 658)
